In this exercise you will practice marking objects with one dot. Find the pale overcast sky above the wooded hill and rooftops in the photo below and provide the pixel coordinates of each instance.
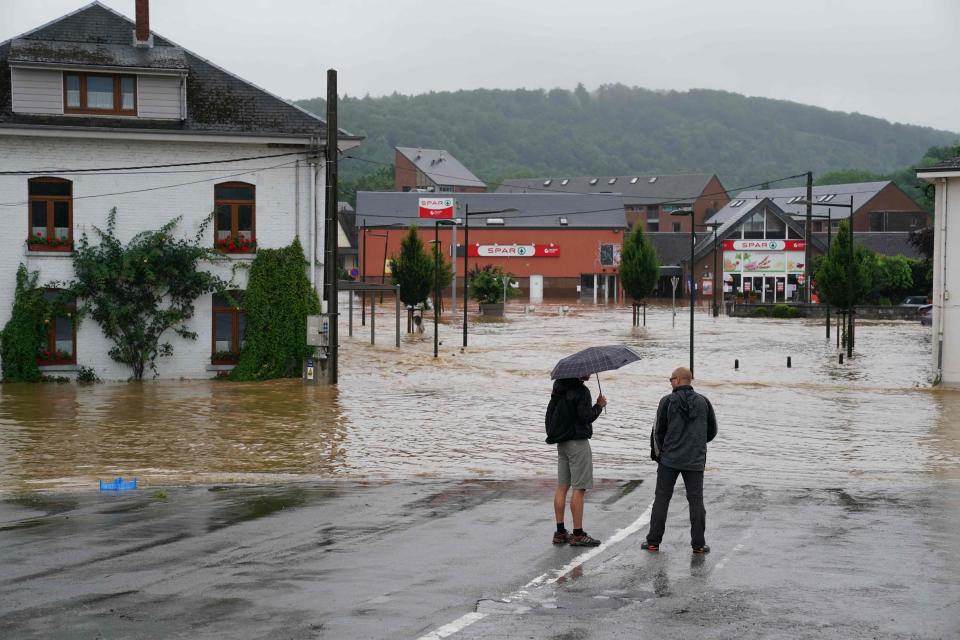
(892, 59)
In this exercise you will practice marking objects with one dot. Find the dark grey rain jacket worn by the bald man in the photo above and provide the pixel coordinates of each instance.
(685, 424)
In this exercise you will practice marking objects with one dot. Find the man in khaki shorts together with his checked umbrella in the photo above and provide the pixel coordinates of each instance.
(571, 399)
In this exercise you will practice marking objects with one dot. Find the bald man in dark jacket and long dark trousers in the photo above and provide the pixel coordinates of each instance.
(685, 424)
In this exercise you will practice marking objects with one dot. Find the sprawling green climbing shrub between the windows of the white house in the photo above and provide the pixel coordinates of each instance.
(140, 291)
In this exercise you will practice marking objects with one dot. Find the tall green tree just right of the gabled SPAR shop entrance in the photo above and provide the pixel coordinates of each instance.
(833, 273)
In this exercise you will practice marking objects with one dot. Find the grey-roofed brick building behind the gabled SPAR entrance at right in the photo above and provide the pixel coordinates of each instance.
(877, 206)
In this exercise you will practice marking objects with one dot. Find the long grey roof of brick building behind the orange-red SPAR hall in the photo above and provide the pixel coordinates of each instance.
(680, 189)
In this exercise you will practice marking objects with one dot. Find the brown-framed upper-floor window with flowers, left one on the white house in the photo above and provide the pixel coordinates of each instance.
(51, 214)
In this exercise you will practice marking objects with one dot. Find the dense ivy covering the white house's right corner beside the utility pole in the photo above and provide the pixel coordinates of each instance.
(276, 303)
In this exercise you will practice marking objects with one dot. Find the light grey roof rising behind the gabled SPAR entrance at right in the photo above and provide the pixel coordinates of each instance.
(862, 192)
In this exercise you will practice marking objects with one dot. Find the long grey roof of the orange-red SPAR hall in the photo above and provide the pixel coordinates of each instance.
(534, 210)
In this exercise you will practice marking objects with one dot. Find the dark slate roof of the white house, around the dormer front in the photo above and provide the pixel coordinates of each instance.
(217, 101)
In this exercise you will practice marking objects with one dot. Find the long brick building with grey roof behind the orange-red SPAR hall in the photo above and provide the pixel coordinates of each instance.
(649, 199)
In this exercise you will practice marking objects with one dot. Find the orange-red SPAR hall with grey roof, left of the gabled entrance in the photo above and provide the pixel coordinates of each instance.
(569, 242)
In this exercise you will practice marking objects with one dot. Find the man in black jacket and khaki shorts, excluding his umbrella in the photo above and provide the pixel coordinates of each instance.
(575, 459)
